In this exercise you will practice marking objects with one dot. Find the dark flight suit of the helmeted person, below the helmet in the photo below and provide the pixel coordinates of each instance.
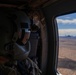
(24, 67)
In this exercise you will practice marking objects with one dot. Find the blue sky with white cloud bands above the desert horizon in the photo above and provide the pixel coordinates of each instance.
(67, 24)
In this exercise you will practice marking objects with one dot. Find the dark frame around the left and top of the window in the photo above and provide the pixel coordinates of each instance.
(51, 12)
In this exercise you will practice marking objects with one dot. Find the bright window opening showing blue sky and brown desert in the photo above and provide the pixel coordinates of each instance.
(67, 44)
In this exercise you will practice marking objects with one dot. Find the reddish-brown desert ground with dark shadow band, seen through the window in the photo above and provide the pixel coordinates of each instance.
(67, 56)
